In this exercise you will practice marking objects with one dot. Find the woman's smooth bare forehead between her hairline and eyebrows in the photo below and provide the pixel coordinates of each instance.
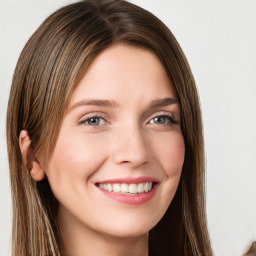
(124, 72)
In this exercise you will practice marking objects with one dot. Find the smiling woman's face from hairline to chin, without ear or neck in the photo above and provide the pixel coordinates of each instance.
(119, 137)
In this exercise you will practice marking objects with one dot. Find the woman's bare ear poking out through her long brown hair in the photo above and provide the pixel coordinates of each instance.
(29, 158)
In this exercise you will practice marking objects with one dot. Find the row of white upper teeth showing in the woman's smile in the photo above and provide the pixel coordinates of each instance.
(125, 188)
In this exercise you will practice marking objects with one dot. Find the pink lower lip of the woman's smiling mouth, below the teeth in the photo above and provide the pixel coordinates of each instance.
(136, 199)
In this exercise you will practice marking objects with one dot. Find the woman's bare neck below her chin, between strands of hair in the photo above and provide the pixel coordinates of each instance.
(80, 240)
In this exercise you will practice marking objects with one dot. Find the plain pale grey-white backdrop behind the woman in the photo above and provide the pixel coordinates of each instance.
(219, 40)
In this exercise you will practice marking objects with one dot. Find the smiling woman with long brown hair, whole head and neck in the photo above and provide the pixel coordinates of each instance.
(105, 138)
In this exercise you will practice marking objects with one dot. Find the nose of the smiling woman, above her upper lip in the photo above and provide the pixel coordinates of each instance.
(130, 147)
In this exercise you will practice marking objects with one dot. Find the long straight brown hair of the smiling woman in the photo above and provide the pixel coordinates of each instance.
(50, 66)
